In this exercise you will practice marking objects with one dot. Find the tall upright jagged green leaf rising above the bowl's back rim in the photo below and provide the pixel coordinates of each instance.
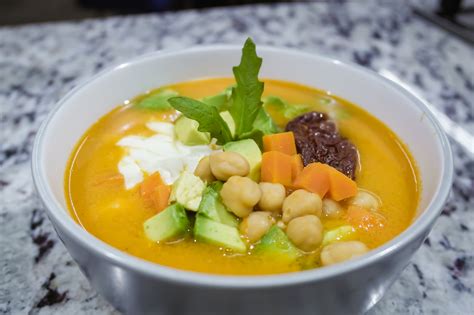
(246, 95)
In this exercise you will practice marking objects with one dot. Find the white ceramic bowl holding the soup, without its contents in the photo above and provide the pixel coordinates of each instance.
(136, 286)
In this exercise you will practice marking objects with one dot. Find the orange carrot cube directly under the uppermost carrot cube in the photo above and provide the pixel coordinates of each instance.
(276, 168)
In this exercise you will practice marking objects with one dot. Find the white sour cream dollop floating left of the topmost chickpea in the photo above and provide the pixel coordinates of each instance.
(161, 152)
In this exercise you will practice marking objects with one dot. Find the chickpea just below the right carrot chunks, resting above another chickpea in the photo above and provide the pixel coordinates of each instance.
(301, 202)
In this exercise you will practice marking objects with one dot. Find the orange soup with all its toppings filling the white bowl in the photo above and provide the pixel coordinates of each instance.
(293, 193)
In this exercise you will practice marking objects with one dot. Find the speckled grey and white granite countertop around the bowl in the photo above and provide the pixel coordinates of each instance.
(40, 63)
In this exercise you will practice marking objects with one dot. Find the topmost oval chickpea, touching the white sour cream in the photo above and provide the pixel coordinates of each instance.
(226, 164)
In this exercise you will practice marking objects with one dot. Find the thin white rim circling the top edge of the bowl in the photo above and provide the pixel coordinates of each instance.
(66, 223)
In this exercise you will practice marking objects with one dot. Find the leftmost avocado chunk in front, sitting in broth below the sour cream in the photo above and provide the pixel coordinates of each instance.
(170, 224)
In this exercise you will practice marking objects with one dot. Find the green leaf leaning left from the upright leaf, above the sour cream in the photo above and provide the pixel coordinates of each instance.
(206, 115)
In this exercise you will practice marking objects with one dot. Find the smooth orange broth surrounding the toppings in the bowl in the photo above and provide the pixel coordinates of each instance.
(99, 202)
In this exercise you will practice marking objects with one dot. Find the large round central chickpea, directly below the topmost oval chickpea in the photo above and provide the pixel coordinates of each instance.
(240, 195)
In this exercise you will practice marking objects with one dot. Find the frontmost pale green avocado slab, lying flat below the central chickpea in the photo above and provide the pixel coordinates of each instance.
(212, 232)
